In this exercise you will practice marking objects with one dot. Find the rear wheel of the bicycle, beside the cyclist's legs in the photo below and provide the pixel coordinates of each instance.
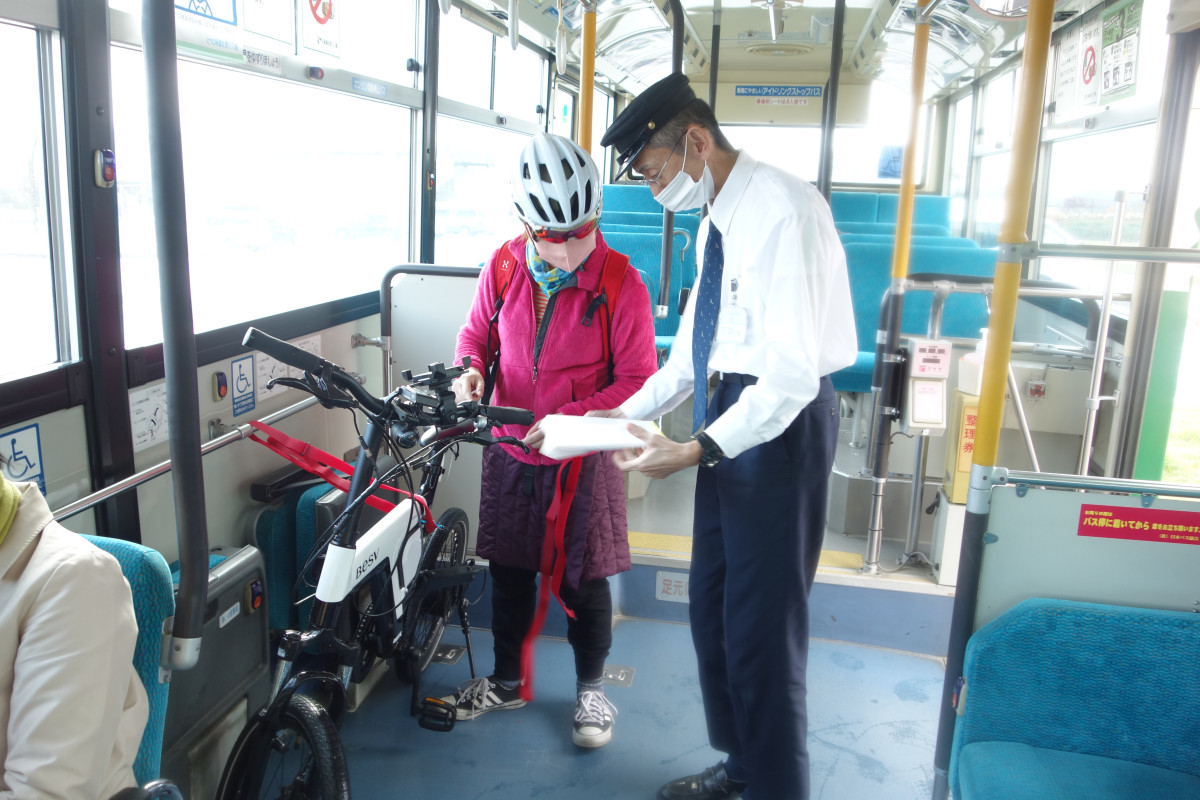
(425, 624)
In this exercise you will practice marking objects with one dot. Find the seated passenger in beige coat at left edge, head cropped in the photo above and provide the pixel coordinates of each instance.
(73, 708)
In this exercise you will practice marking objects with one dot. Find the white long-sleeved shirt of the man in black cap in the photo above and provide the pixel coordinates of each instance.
(783, 254)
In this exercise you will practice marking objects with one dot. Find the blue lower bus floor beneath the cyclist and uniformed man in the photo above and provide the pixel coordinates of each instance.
(873, 724)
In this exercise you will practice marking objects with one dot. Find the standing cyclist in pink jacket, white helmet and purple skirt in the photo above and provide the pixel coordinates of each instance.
(553, 360)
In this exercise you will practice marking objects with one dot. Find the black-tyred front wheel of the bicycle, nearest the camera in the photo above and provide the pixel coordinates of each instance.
(301, 759)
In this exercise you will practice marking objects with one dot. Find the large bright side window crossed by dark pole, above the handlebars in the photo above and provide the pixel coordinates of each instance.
(296, 195)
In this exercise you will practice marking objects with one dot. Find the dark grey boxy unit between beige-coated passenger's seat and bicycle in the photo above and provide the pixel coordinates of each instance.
(209, 703)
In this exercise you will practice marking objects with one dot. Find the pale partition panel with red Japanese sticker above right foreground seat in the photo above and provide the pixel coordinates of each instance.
(1089, 546)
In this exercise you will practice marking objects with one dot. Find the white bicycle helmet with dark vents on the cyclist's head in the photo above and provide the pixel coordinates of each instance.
(556, 185)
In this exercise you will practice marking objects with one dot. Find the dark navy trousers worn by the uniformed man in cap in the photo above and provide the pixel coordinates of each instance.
(759, 526)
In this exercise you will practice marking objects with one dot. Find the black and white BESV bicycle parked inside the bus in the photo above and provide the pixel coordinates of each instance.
(382, 593)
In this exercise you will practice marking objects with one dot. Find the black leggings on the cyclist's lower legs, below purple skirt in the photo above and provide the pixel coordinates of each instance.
(514, 601)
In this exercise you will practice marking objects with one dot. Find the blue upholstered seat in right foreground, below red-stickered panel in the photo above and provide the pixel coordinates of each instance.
(1076, 700)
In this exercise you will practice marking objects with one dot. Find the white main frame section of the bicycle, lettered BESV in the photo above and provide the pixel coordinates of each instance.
(347, 568)
